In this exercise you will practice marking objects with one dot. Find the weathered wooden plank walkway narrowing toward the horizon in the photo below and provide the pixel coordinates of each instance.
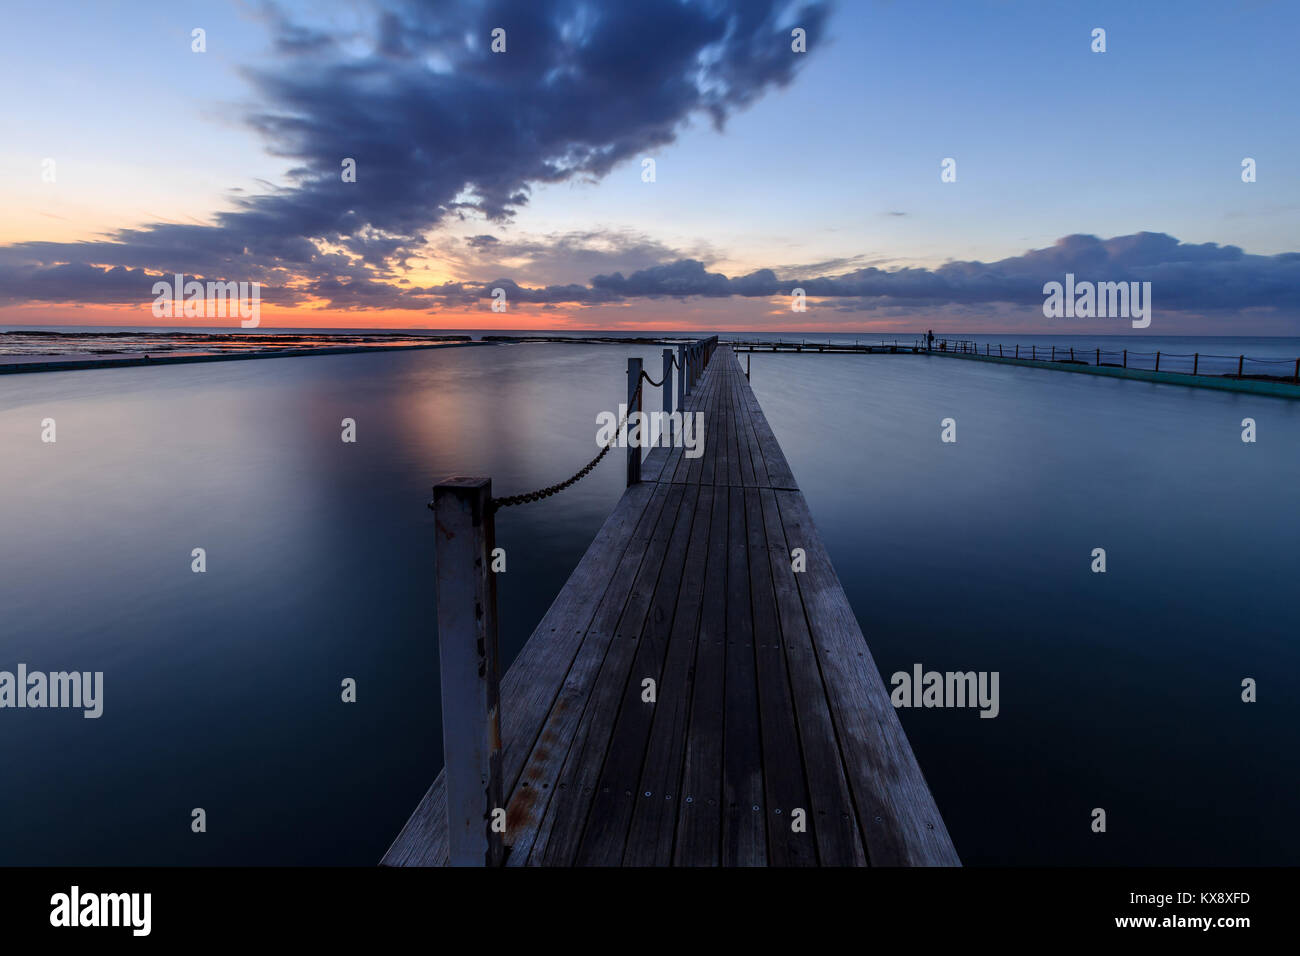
(768, 702)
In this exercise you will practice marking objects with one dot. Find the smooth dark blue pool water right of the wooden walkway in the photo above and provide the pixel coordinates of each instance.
(1120, 691)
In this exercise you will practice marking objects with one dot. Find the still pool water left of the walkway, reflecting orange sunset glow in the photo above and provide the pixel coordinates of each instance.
(223, 690)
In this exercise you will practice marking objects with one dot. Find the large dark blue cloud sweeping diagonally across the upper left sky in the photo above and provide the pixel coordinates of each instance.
(440, 127)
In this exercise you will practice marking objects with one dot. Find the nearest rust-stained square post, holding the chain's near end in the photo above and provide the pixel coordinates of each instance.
(466, 595)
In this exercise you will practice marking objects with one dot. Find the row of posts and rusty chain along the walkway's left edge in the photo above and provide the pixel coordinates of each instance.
(466, 596)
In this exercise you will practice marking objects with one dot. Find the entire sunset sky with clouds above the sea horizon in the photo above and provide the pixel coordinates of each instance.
(129, 157)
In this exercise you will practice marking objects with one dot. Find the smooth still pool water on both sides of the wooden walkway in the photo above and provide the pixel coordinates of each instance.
(223, 690)
